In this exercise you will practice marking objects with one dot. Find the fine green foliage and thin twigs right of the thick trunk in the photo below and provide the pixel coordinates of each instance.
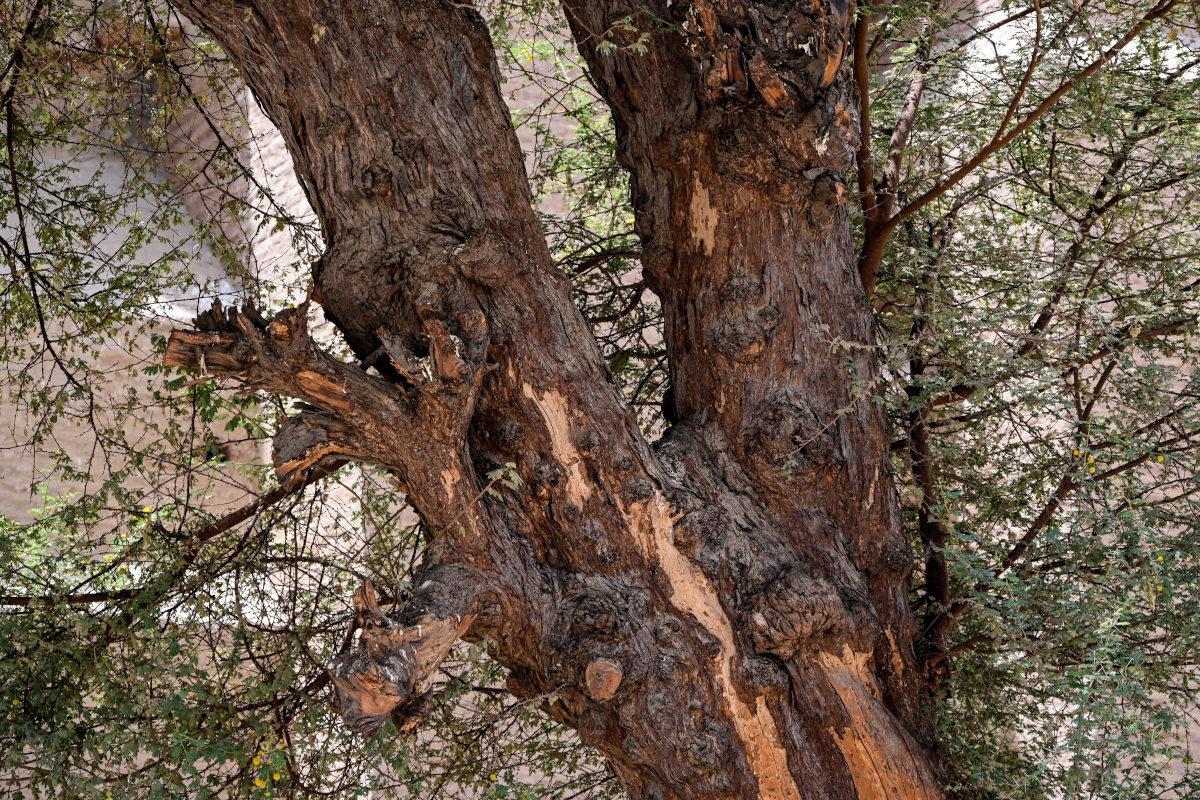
(1040, 323)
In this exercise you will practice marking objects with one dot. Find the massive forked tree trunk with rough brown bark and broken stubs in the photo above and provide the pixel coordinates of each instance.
(723, 615)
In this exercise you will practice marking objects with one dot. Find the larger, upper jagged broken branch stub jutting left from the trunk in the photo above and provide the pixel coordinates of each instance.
(350, 414)
